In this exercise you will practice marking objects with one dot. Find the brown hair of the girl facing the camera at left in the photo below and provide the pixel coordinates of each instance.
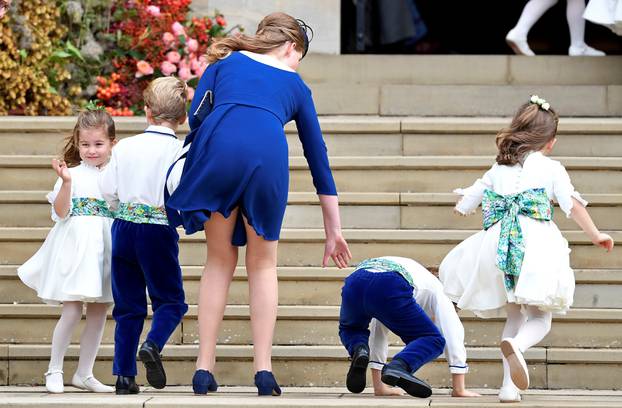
(88, 119)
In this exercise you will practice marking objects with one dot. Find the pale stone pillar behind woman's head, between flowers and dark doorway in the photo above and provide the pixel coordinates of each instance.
(324, 16)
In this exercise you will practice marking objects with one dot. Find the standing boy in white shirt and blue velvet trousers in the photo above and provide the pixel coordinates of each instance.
(144, 247)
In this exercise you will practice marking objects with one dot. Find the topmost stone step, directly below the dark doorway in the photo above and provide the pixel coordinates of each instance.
(461, 70)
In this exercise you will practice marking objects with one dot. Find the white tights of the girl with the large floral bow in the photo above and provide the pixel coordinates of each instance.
(527, 331)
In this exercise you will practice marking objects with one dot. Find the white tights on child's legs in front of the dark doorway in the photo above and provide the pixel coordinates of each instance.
(534, 9)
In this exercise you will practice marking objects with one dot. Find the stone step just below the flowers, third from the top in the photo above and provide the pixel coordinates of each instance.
(353, 135)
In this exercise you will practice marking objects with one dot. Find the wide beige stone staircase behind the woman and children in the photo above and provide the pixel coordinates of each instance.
(395, 175)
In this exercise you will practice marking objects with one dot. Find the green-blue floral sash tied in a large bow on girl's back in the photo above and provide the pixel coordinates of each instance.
(533, 203)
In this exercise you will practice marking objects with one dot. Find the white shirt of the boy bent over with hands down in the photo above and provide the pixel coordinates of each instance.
(428, 293)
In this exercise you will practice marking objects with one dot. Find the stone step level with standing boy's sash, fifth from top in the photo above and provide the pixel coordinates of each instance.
(358, 210)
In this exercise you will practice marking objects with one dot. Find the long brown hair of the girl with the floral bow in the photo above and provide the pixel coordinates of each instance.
(531, 129)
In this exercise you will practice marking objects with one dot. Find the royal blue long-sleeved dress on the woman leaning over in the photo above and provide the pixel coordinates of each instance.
(239, 155)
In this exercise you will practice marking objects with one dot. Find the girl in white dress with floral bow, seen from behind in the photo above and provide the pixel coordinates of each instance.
(519, 264)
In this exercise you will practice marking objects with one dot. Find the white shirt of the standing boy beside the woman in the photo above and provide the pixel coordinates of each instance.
(137, 169)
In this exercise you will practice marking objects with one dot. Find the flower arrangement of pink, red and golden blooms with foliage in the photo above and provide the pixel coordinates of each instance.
(60, 54)
